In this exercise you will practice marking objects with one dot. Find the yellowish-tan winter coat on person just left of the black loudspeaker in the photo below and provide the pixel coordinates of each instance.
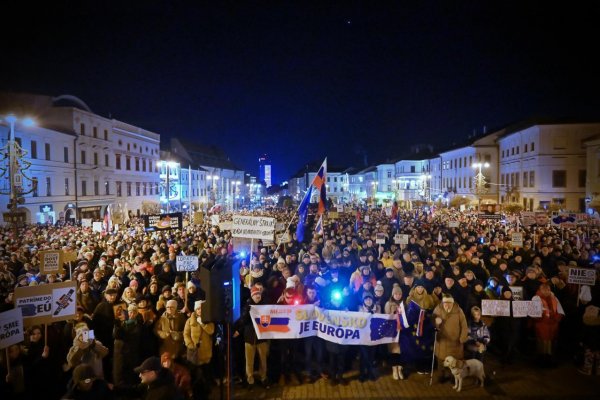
(198, 340)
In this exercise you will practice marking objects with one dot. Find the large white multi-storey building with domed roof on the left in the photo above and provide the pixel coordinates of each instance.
(110, 162)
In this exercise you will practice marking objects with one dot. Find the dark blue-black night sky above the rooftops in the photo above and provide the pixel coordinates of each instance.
(304, 80)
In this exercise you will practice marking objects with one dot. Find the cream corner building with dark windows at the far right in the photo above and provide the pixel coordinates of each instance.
(544, 163)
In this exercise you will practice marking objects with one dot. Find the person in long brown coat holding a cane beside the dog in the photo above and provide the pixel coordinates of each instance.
(452, 333)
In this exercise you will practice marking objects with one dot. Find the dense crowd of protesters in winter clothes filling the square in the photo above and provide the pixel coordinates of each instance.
(139, 332)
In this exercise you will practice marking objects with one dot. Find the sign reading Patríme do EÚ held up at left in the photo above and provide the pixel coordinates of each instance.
(44, 304)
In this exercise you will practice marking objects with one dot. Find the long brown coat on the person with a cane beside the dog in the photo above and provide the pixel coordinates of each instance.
(452, 333)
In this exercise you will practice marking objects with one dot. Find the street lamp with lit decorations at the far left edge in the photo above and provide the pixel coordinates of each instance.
(16, 167)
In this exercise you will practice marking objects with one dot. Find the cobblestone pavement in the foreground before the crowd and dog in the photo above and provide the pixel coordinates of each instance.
(519, 381)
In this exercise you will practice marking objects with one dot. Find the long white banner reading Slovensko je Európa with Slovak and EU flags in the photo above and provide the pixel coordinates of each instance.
(342, 327)
